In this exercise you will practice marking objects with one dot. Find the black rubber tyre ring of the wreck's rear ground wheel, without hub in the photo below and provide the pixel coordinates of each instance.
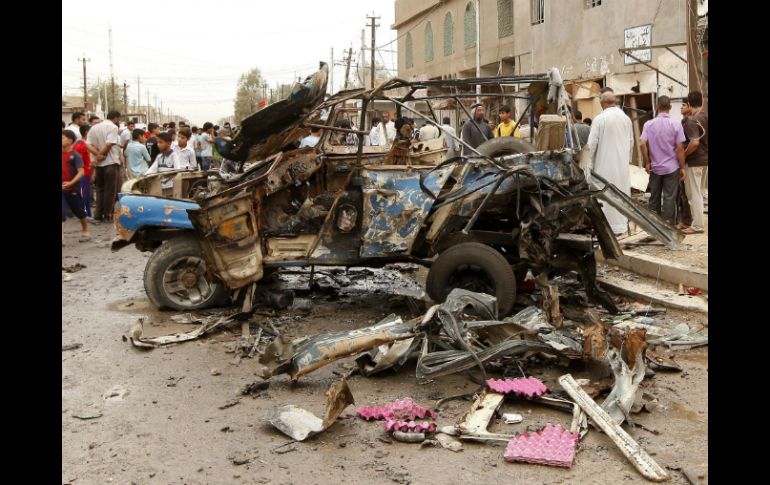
(488, 259)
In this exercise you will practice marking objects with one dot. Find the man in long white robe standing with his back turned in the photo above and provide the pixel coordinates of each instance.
(610, 145)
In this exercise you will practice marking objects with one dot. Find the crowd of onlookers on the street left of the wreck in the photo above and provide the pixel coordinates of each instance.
(98, 156)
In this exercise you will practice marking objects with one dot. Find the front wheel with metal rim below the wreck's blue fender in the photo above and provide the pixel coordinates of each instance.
(175, 277)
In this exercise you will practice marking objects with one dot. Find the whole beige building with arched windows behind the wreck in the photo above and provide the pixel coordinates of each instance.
(437, 39)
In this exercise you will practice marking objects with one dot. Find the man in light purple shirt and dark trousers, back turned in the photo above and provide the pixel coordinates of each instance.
(663, 151)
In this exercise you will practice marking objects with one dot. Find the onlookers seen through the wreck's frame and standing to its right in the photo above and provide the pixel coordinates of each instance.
(675, 154)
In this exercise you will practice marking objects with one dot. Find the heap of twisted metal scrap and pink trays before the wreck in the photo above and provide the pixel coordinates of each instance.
(464, 334)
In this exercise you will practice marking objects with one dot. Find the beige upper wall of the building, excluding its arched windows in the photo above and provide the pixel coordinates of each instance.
(582, 42)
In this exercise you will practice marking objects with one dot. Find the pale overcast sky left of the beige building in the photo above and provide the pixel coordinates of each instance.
(190, 54)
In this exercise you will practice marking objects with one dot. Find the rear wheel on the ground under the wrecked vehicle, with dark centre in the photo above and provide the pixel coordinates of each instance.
(474, 267)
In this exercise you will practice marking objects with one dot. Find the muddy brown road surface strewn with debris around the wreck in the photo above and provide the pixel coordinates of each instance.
(162, 420)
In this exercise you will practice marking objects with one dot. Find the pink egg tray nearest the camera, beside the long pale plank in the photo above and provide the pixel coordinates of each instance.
(553, 445)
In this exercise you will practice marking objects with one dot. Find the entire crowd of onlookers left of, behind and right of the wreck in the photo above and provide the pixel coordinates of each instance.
(98, 155)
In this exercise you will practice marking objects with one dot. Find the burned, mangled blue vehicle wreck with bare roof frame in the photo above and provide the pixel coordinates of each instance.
(479, 222)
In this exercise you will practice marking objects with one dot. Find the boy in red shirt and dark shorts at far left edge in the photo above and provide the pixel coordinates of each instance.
(71, 175)
